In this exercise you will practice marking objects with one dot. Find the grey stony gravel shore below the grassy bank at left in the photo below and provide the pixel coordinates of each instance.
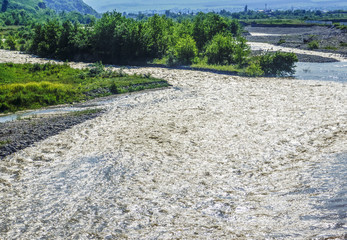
(17, 135)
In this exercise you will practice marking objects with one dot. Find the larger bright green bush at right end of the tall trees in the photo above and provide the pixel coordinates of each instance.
(226, 50)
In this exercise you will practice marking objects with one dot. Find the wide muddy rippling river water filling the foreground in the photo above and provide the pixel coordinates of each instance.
(212, 157)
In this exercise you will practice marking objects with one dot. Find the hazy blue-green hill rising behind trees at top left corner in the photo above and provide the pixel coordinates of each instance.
(57, 5)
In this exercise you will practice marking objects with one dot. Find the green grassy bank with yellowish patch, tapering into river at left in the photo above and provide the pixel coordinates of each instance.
(29, 86)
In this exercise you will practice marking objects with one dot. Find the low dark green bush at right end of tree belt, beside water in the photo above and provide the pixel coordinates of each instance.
(278, 64)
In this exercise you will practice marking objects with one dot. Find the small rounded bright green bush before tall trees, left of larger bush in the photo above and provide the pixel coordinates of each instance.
(185, 50)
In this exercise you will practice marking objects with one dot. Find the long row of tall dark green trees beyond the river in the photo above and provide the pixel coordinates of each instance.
(117, 39)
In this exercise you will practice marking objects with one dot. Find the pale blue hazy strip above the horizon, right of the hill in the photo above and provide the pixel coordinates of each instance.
(141, 5)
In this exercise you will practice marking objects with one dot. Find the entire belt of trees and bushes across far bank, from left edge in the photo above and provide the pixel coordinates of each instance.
(202, 40)
